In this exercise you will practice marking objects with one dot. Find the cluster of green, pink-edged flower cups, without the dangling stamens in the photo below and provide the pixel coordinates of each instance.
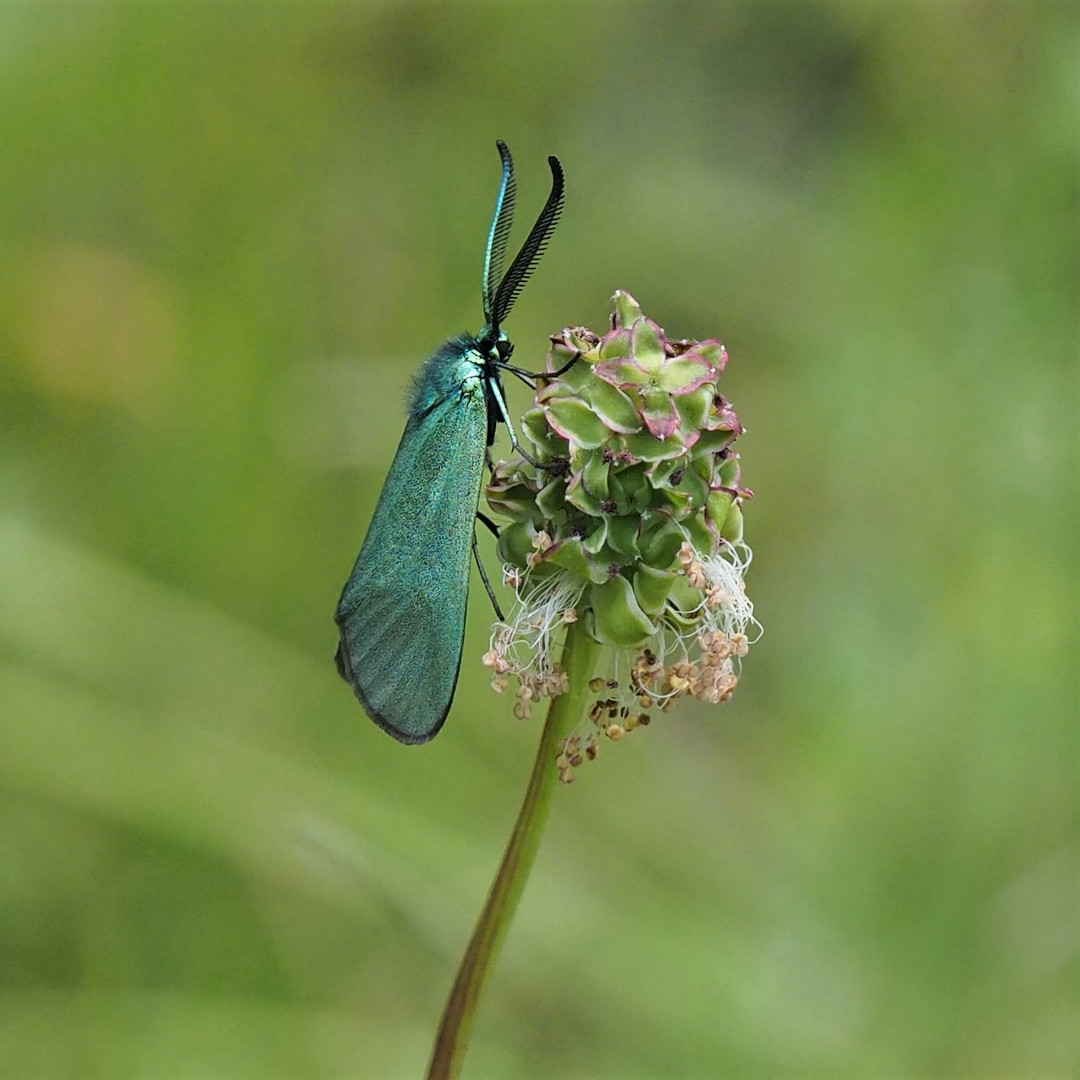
(634, 444)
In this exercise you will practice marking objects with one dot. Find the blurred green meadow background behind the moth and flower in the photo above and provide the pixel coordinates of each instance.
(228, 236)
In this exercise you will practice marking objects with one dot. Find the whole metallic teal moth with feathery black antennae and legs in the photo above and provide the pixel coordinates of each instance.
(402, 614)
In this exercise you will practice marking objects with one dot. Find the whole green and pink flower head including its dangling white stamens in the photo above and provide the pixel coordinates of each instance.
(637, 532)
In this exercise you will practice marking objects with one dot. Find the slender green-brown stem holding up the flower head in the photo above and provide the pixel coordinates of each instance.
(579, 660)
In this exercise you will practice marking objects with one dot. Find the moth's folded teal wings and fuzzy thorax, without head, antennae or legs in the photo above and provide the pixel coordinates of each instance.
(402, 613)
